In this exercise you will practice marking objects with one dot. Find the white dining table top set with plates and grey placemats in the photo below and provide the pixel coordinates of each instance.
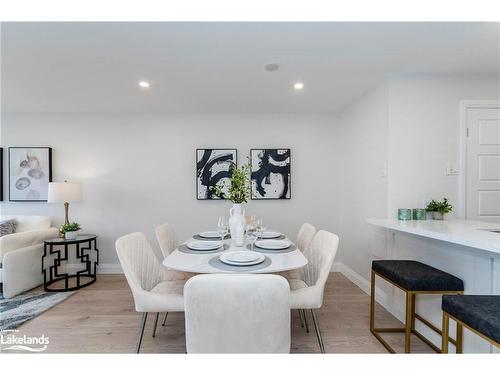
(187, 260)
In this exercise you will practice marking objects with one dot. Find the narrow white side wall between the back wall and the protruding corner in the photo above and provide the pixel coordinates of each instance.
(364, 127)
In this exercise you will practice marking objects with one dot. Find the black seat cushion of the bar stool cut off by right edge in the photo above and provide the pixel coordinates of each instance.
(479, 312)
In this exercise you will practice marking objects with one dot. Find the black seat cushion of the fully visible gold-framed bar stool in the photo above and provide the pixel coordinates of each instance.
(416, 276)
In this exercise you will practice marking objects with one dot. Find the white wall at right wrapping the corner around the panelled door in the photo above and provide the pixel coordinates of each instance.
(411, 123)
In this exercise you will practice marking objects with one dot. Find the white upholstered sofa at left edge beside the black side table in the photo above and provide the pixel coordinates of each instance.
(21, 253)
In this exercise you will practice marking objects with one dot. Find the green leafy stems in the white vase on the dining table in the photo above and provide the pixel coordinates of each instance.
(239, 190)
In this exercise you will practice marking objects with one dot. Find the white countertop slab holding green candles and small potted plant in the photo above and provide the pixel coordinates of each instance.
(474, 234)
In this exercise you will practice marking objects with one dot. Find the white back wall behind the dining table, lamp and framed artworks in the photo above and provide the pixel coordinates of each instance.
(138, 171)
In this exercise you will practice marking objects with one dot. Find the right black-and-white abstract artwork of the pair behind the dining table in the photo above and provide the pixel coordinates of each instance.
(270, 173)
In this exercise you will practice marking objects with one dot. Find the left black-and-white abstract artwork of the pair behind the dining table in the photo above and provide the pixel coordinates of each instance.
(213, 168)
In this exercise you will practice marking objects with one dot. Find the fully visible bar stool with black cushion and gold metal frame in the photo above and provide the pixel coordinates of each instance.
(413, 278)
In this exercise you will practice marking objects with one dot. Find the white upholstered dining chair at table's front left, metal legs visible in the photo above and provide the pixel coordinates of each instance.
(154, 288)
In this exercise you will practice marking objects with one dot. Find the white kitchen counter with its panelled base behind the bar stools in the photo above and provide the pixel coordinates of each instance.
(468, 250)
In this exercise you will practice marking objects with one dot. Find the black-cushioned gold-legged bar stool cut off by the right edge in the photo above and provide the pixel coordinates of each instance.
(480, 314)
